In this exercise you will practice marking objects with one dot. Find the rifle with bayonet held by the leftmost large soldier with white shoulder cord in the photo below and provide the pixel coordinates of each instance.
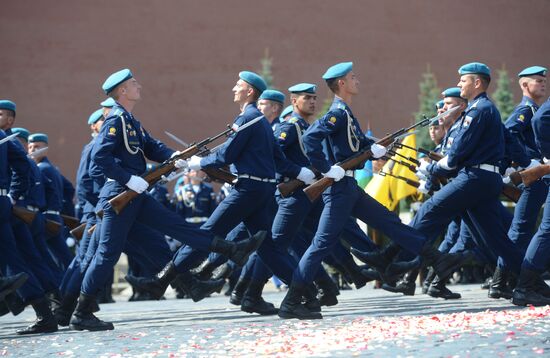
(119, 202)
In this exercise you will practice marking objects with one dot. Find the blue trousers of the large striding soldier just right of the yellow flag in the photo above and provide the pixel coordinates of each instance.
(474, 192)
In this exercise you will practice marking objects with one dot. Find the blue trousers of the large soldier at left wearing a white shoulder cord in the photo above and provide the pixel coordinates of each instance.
(115, 228)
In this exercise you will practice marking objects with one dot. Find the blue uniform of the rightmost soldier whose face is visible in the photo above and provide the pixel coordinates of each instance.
(532, 198)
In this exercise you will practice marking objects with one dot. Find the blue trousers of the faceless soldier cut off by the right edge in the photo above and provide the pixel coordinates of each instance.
(537, 255)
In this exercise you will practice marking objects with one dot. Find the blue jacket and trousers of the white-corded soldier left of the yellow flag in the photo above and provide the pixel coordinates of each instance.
(333, 138)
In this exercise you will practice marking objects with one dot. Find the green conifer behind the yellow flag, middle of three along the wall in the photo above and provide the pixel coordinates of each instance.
(429, 95)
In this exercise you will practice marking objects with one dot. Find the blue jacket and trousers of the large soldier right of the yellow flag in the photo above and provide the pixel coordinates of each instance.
(475, 152)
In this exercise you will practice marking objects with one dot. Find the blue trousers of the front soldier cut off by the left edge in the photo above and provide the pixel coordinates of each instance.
(11, 262)
